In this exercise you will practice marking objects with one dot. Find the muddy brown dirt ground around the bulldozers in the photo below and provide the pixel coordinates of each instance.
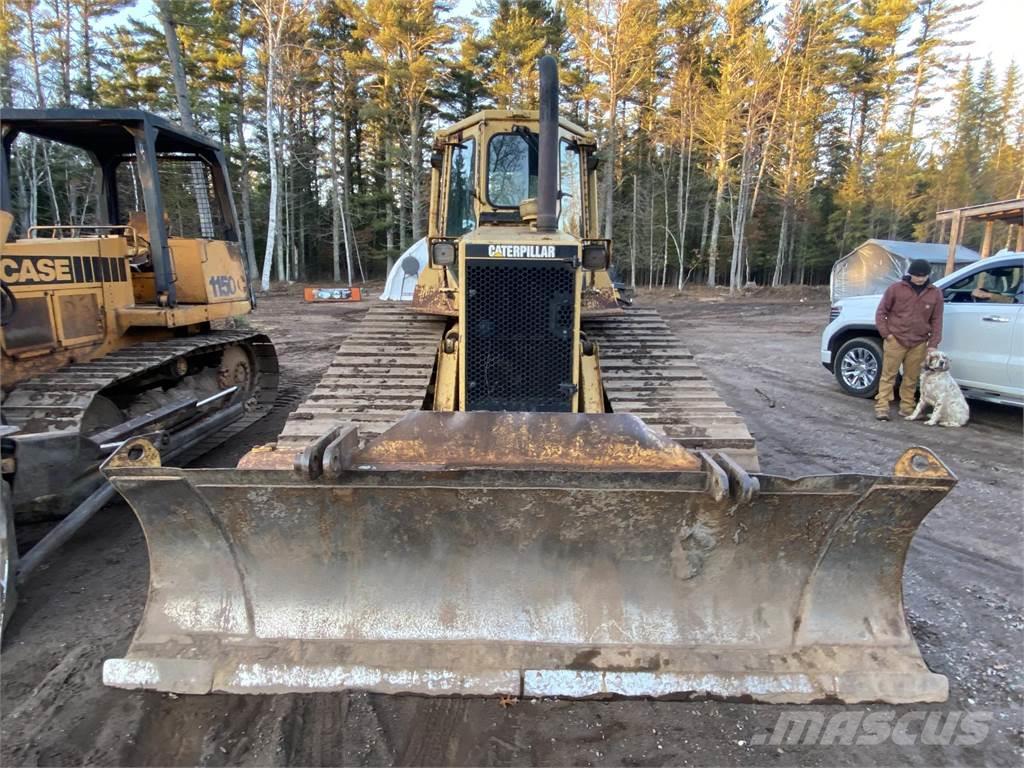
(963, 587)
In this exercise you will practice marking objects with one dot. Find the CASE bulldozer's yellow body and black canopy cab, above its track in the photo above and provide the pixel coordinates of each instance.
(138, 237)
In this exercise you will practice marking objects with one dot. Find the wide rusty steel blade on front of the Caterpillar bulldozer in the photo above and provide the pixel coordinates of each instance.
(530, 556)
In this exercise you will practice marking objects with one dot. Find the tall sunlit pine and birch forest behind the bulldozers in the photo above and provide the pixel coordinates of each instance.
(742, 141)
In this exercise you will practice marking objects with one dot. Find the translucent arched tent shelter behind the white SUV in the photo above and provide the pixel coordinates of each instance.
(878, 264)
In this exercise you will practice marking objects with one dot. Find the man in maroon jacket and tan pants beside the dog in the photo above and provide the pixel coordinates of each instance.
(910, 319)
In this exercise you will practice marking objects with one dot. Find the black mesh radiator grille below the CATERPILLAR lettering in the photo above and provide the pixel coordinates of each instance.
(520, 319)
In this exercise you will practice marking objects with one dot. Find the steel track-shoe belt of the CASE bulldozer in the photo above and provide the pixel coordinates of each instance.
(59, 401)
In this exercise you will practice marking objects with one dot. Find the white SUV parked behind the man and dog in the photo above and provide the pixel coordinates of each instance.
(983, 332)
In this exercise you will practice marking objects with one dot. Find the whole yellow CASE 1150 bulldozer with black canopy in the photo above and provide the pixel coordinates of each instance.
(107, 328)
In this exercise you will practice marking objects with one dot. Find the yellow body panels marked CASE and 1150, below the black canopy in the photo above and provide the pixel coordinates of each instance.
(78, 298)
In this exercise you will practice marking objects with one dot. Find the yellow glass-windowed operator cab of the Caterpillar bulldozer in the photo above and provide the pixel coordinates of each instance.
(486, 183)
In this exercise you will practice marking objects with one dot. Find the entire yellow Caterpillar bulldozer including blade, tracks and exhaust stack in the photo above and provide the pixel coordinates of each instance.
(515, 486)
